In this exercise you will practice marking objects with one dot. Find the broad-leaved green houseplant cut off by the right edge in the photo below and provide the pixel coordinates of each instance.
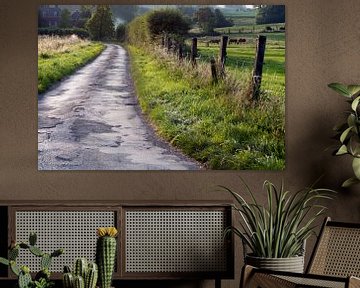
(349, 132)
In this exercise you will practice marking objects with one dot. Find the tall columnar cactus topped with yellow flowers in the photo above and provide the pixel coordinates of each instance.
(106, 254)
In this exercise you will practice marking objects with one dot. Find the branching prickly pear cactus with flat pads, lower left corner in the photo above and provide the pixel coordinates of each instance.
(42, 278)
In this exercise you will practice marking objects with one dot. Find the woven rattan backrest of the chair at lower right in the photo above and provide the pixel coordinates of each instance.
(337, 251)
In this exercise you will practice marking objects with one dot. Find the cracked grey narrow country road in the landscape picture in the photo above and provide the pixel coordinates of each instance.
(92, 121)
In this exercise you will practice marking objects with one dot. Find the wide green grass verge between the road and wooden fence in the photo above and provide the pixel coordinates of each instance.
(206, 121)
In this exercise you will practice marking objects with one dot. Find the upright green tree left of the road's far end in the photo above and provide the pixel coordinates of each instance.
(101, 25)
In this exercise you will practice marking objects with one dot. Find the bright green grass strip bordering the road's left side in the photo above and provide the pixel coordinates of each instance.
(53, 66)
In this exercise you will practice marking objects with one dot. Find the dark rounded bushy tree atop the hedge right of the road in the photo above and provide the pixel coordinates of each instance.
(167, 21)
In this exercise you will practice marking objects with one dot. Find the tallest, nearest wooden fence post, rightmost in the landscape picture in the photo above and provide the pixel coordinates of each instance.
(259, 62)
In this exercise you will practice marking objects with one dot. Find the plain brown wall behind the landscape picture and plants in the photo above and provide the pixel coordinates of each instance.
(323, 40)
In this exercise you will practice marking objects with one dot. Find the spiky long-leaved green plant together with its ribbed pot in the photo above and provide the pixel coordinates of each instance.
(276, 233)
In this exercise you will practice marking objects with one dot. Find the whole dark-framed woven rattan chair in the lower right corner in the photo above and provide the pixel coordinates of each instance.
(335, 262)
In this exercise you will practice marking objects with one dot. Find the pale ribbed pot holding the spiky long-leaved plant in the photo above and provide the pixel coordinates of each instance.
(291, 264)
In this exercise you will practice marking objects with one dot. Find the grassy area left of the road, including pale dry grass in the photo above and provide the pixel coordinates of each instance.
(61, 56)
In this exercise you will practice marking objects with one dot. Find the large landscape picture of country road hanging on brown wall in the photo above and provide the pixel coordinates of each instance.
(161, 87)
